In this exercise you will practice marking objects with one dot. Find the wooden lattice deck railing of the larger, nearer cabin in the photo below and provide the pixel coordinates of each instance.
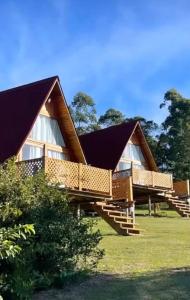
(70, 175)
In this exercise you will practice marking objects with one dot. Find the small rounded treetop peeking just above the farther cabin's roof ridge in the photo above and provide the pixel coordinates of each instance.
(111, 117)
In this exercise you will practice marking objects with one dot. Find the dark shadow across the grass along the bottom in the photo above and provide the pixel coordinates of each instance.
(165, 285)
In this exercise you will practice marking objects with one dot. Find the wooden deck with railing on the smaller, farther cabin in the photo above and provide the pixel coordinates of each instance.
(128, 183)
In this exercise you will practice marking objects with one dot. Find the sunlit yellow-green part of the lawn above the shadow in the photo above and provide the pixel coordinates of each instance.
(164, 244)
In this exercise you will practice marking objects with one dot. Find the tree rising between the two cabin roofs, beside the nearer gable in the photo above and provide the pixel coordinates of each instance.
(83, 112)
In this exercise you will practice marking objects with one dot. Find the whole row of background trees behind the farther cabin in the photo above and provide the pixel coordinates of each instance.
(168, 142)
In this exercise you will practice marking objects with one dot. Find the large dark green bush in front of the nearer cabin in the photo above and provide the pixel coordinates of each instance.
(62, 245)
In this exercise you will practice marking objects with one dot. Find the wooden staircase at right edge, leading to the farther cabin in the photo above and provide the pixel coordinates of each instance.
(180, 206)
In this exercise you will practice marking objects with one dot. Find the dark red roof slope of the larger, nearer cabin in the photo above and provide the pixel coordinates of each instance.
(19, 108)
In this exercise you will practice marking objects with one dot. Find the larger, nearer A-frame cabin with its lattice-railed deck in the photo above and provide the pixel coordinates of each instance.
(36, 127)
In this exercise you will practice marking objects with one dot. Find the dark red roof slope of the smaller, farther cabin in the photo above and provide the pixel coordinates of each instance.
(103, 148)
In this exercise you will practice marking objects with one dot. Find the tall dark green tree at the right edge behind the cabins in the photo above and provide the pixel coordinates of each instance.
(174, 142)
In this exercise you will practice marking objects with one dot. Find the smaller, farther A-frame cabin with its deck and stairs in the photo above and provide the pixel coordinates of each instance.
(123, 149)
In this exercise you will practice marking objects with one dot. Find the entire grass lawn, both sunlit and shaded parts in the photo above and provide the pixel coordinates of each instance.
(155, 265)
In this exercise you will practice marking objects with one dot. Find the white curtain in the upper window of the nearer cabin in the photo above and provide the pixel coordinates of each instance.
(47, 130)
